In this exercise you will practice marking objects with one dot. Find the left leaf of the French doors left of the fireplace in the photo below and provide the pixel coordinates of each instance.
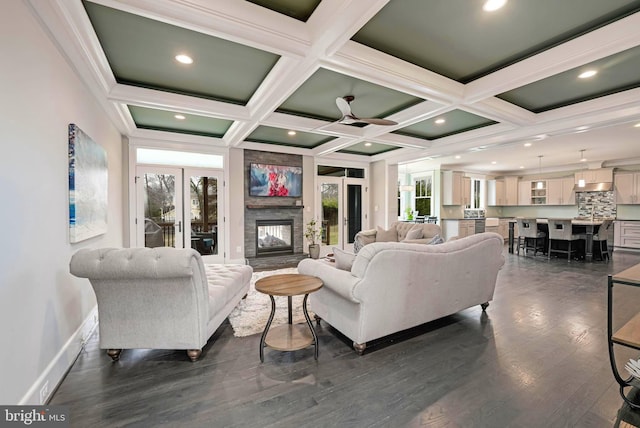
(159, 219)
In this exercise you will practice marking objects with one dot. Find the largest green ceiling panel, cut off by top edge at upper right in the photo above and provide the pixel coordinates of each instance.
(457, 39)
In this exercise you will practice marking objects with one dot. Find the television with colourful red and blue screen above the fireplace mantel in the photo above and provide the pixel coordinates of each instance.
(275, 180)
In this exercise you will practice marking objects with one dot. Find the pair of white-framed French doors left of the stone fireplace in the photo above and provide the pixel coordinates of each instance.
(181, 208)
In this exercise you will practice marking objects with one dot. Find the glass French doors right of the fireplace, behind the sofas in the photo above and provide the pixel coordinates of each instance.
(342, 213)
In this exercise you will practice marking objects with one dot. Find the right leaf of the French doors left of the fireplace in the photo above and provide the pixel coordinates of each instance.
(204, 209)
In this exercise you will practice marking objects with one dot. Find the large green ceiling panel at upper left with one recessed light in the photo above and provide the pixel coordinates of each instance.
(142, 52)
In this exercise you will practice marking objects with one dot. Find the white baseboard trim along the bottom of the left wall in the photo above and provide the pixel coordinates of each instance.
(57, 369)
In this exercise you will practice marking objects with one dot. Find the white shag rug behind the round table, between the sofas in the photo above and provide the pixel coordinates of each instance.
(252, 313)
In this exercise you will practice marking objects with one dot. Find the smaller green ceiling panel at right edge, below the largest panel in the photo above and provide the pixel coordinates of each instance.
(616, 73)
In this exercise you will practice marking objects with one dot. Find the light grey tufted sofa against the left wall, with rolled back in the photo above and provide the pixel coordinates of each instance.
(159, 298)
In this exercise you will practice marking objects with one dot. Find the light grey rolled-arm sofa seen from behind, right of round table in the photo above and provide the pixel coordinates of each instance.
(393, 286)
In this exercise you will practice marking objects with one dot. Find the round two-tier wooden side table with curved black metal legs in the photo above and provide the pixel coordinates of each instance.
(288, 337)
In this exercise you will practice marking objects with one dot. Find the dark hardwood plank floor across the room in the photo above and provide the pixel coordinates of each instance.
(537, 358)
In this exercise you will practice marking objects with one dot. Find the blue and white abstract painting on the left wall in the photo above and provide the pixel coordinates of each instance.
(88, 178)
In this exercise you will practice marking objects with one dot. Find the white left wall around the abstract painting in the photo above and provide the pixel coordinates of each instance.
(42, 307)
